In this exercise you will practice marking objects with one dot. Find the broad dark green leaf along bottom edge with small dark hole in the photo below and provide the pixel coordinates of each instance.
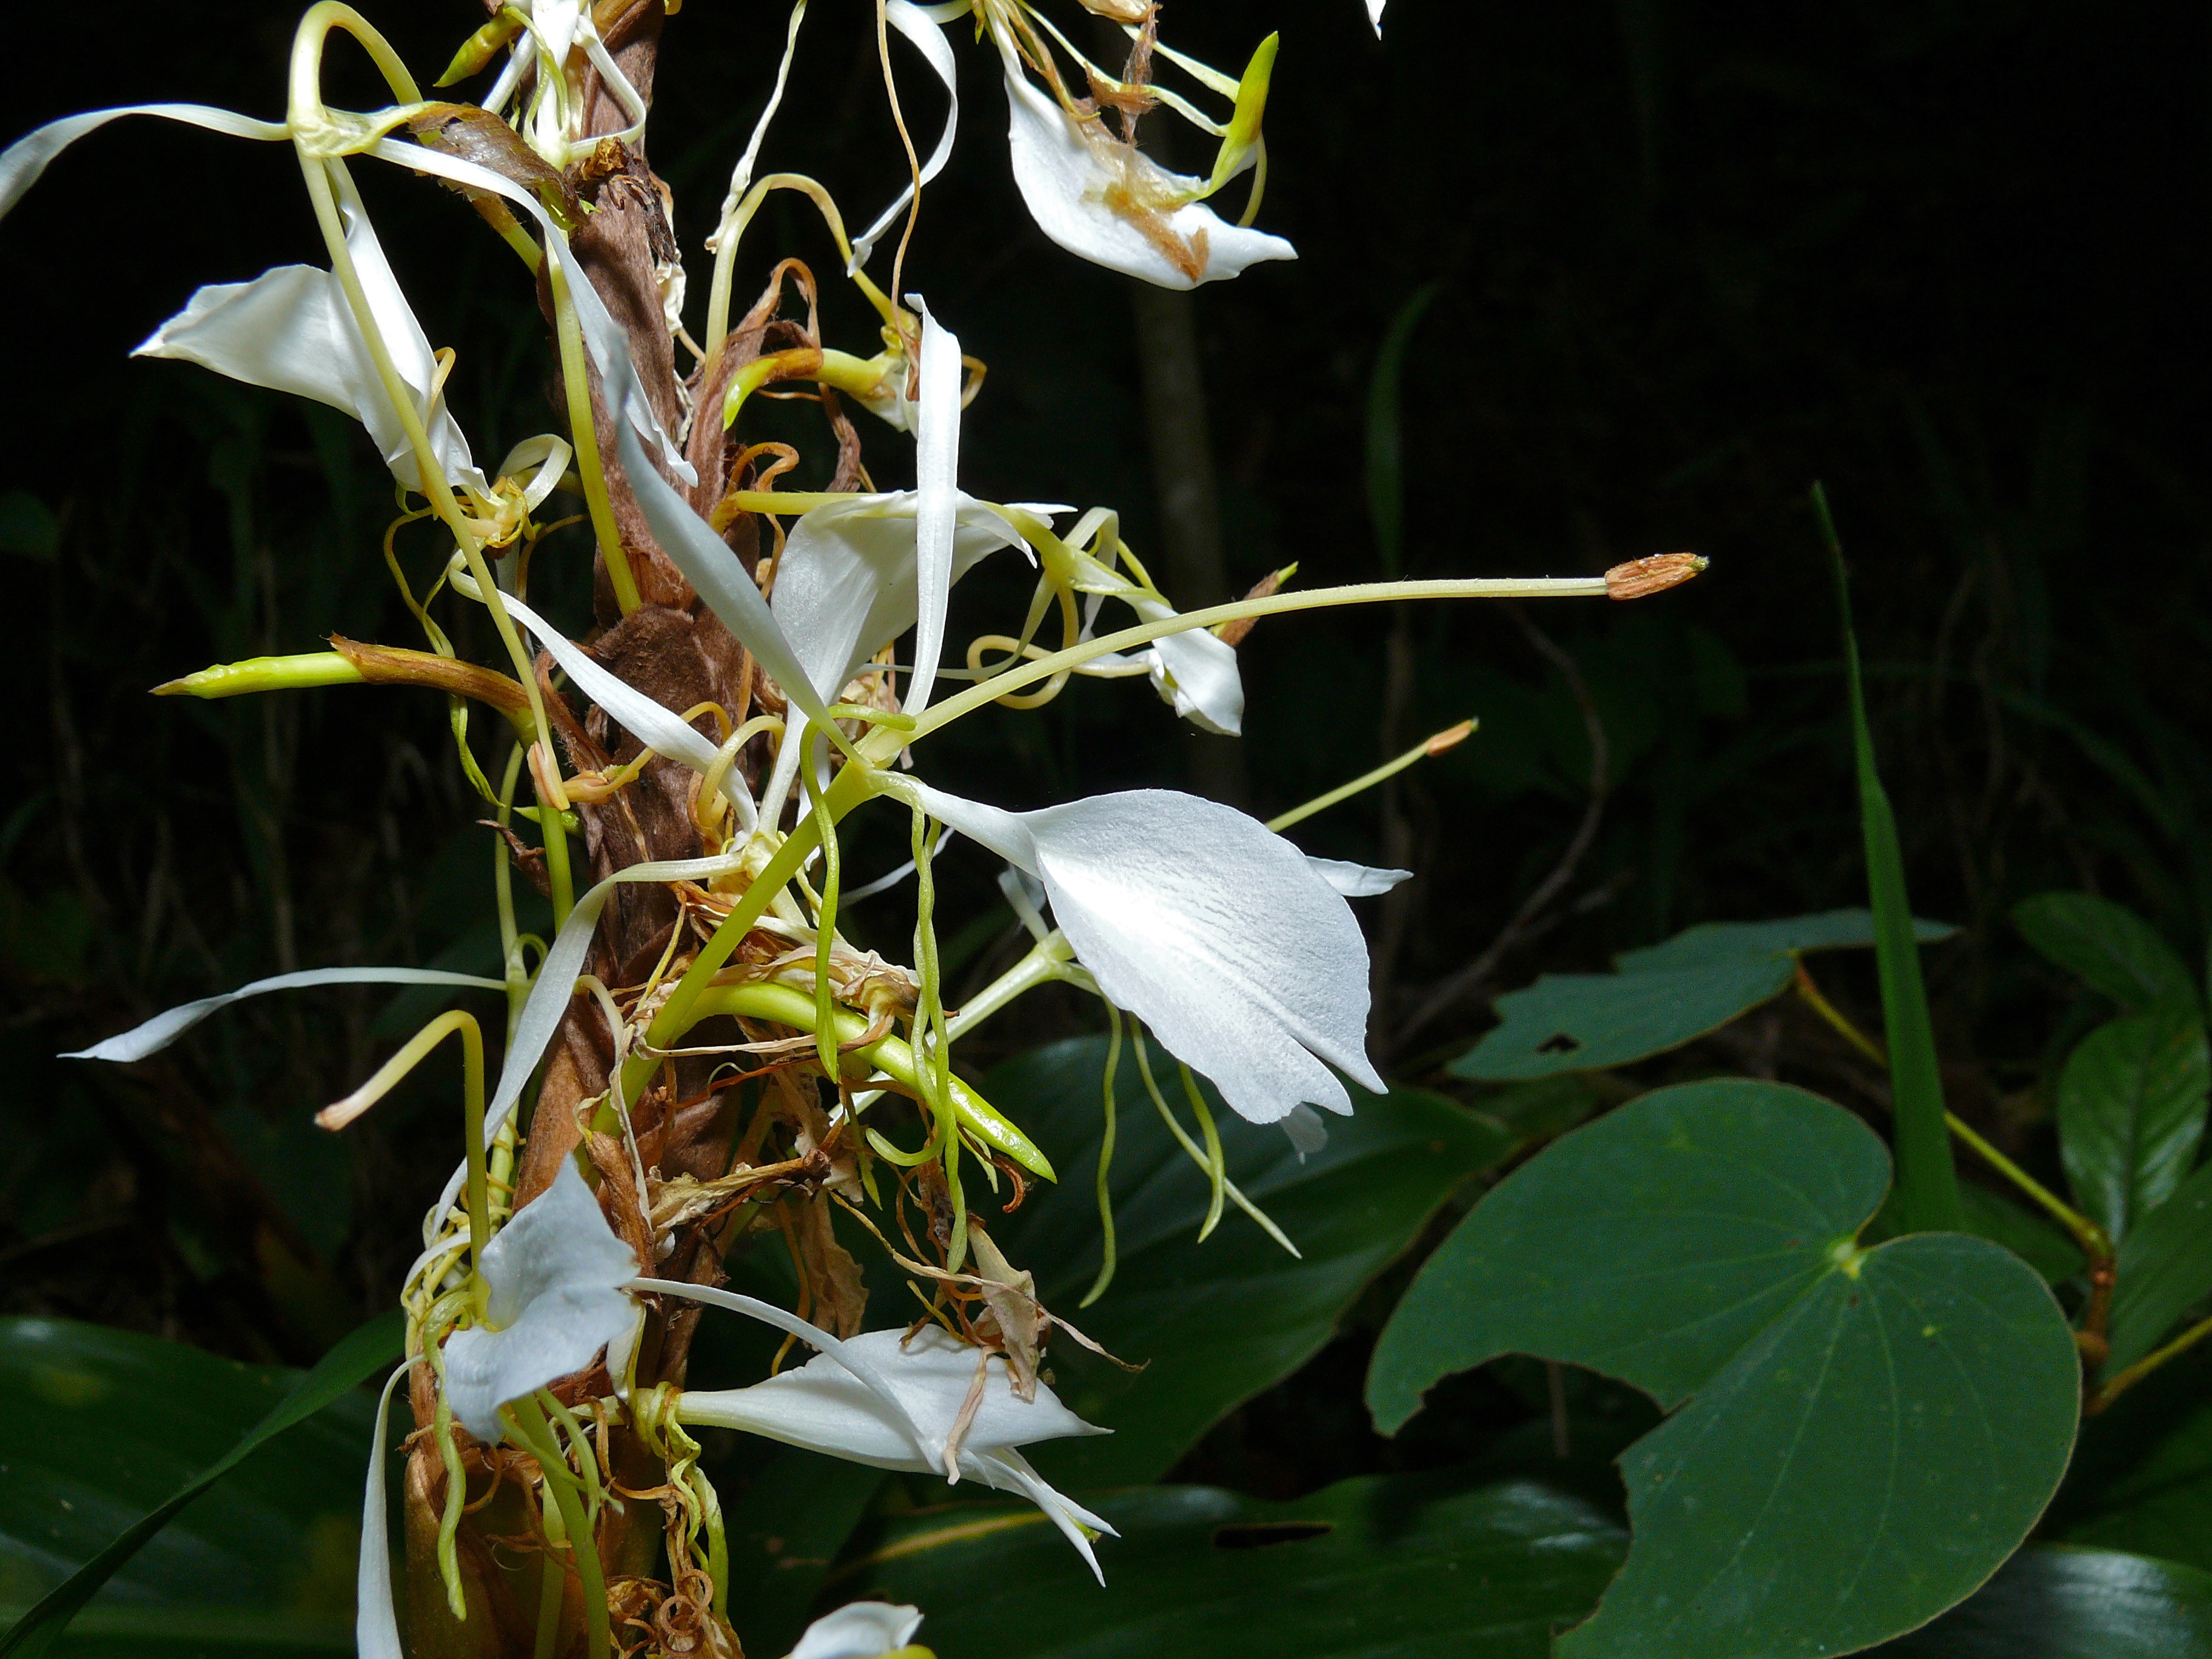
(1412, 1567)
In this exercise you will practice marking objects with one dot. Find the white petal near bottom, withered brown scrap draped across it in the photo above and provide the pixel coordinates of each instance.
(826, 1408)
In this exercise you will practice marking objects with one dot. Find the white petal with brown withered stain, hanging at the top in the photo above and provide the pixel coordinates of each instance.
(1112, 205)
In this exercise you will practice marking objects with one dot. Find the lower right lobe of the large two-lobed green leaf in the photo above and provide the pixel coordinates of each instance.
(1864, 1465)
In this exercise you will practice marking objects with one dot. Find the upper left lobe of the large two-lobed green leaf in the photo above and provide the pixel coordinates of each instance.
(1649, 1246)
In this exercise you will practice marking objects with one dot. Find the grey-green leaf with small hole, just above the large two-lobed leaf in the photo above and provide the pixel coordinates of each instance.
(1660, 999)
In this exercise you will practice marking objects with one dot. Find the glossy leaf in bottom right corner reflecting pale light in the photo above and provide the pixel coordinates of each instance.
(2056, 1603)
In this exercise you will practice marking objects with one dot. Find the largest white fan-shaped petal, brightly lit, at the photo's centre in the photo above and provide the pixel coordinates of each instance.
(1207, 926)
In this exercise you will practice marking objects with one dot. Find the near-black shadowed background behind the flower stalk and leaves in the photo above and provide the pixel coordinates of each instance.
(1945, 258)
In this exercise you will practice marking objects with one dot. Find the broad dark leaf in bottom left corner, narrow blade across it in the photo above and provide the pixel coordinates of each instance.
(112, 1434)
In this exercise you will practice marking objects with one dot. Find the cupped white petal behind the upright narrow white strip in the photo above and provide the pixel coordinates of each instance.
(846, 585)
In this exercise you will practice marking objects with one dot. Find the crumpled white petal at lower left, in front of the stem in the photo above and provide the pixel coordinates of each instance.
(556, 1277)
